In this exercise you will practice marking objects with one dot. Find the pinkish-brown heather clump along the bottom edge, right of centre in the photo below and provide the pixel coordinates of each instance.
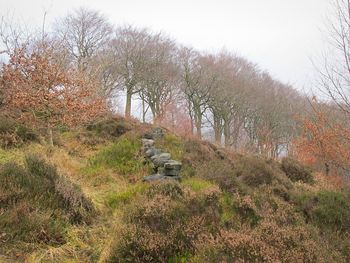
(266, 243)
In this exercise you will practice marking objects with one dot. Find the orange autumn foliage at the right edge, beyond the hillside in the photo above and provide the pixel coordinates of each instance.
(324, 141)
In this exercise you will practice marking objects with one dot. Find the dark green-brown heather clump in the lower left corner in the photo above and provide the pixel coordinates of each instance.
(28, 208)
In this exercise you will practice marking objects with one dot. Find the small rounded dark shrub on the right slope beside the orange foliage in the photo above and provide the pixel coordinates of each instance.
(296, 171)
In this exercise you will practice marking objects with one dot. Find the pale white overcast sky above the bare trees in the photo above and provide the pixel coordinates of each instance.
(279, 35)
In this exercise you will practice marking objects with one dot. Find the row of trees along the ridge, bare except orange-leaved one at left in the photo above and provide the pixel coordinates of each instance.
(221, 95)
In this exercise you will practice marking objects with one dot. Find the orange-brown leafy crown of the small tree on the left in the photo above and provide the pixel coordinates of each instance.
(40, 90)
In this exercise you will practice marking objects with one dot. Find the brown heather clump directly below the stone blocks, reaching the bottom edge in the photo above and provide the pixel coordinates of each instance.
(165, 223)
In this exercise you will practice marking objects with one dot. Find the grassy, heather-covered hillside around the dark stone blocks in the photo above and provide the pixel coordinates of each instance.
(84, 201)
